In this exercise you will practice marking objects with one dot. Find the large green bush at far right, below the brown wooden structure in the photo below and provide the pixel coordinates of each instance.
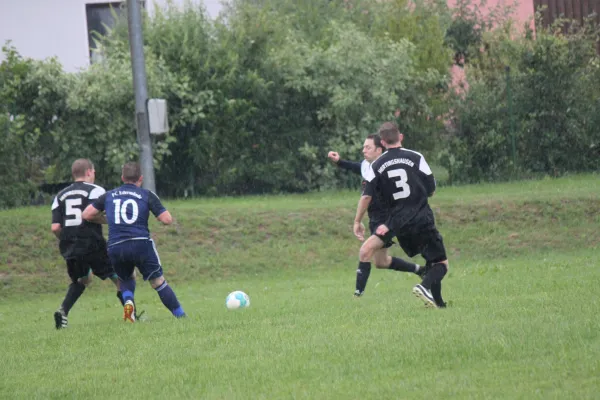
(549, 104)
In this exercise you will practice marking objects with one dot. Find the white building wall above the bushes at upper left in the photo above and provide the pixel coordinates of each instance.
(46, 28)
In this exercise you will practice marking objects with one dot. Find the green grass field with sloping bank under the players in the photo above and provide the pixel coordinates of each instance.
(523, 321)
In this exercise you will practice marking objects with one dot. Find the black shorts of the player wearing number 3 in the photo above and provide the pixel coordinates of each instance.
(424, 240)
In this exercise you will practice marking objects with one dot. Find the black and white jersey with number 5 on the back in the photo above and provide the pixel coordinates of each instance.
(77, 237)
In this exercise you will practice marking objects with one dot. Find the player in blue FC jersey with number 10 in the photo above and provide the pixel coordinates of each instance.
(129, 244)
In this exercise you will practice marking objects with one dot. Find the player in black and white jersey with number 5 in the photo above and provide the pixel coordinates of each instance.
(80, 242)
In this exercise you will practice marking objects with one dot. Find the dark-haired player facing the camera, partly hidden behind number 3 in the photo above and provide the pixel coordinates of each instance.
(378, 215)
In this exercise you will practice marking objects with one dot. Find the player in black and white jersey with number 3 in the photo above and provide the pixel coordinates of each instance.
(404, 181)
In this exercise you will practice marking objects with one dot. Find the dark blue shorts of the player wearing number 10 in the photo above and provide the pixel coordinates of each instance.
(140, 253)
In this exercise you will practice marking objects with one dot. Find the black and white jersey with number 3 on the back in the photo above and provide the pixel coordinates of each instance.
(403, 180)
